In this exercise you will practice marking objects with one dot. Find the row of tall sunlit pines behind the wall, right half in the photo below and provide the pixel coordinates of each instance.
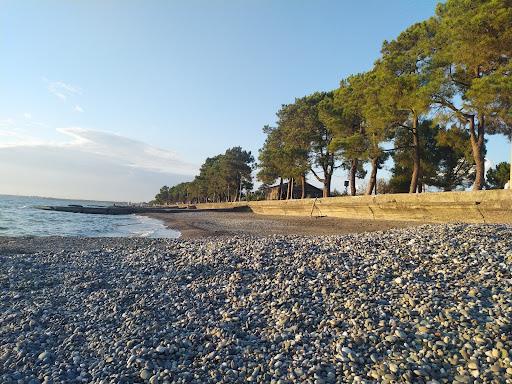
(429, 102)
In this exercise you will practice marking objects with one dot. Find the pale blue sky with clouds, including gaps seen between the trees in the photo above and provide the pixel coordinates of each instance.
(110, 100)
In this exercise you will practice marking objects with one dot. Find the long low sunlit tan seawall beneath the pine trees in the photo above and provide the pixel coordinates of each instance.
(471, 207)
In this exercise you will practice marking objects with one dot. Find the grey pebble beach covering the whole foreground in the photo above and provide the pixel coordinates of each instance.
(425, 304)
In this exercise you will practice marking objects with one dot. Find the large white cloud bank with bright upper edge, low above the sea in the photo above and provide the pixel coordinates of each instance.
(86, 163)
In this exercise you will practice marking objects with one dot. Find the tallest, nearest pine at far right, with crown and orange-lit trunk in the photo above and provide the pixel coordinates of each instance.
(471, 62)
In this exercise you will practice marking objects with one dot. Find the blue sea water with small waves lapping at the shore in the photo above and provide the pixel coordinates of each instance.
(20, 217)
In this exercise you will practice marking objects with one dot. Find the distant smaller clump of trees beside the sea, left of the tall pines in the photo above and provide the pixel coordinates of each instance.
(225, 177)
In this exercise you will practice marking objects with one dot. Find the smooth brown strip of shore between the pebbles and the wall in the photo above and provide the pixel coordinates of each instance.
(203, 224)
